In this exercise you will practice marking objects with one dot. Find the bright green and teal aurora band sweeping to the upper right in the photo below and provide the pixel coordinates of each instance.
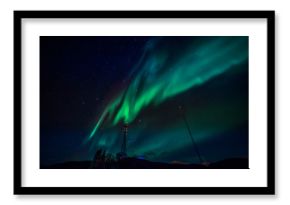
(168, 67)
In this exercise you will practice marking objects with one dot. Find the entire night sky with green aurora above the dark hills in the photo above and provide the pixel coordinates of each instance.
(91, 86)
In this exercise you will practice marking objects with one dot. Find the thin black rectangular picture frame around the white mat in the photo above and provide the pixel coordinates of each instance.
(270, 18)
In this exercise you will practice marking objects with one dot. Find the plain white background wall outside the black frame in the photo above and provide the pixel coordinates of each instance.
(282, 98)
